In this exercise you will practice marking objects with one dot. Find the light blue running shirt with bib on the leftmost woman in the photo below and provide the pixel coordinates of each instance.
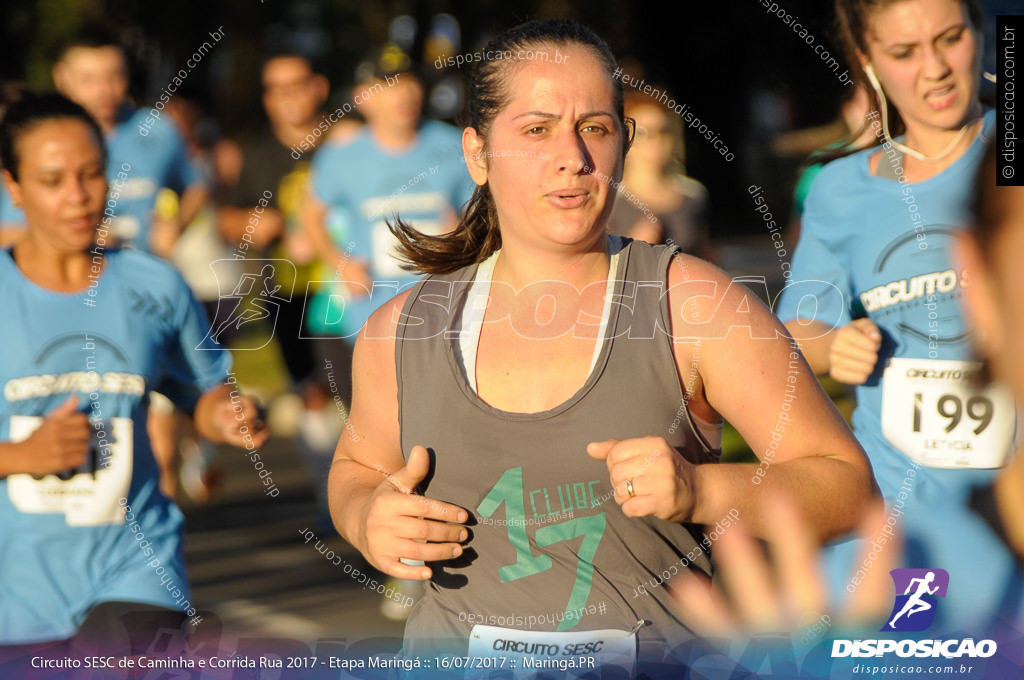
(66, 546)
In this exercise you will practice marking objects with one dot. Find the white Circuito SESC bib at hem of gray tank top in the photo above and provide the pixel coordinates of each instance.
(571, 655)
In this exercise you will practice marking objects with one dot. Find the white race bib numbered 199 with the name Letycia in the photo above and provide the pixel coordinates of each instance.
(931, 413)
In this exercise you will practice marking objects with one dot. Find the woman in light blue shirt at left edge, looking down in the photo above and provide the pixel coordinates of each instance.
(91, 331)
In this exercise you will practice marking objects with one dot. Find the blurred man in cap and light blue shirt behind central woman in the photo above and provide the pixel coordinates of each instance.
(398, 163)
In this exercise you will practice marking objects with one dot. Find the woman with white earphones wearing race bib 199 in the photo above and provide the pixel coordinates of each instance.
(875, 296)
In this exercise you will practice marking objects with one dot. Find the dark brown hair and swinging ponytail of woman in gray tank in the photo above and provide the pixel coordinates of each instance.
(478, 235)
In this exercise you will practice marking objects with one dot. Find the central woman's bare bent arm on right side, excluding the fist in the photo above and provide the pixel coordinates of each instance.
(753, 375)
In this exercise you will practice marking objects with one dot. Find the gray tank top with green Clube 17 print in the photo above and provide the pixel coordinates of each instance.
(547, 539)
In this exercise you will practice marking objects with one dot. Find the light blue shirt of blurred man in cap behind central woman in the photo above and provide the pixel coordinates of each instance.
(364, 186)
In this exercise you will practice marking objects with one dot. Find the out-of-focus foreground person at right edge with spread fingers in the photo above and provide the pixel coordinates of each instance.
(979, 544)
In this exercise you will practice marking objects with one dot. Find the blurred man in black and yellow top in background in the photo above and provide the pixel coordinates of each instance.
(275, 165)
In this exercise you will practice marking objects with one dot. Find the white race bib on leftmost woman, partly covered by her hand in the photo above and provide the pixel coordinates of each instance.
(89, 495)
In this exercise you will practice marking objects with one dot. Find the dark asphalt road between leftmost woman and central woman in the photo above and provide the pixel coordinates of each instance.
(251, 567)
